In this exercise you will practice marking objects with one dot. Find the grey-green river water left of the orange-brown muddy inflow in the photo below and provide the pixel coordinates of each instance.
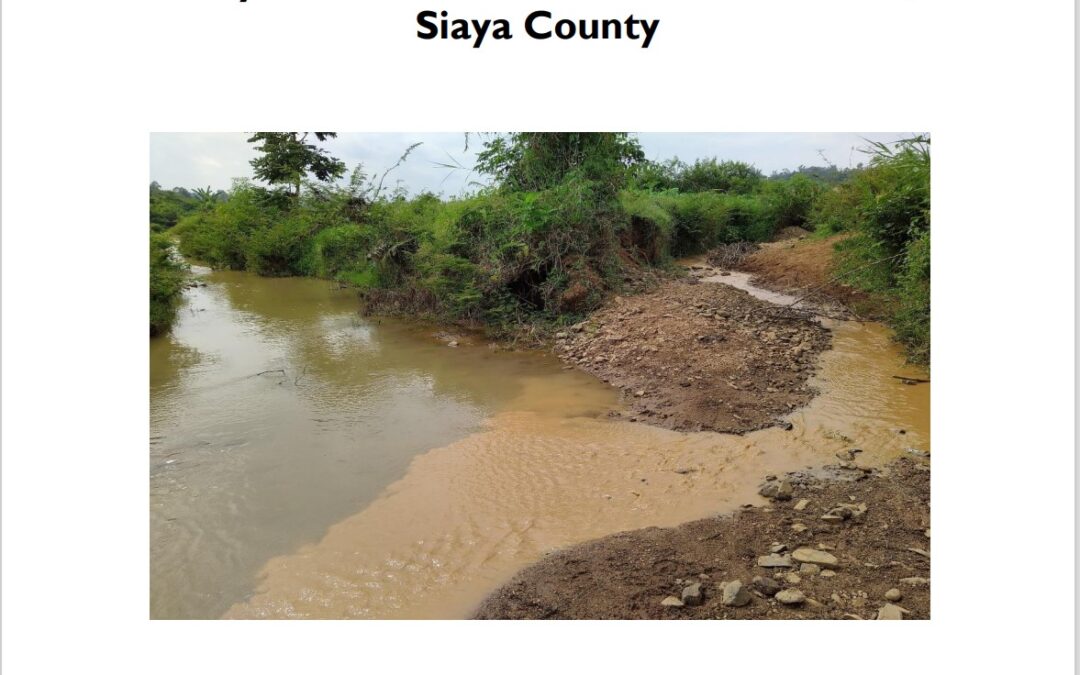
(276, 412)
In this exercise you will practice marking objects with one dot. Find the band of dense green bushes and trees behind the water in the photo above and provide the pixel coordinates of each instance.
(569, 218)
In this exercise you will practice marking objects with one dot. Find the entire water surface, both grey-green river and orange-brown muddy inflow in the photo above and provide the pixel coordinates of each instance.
(387, 476)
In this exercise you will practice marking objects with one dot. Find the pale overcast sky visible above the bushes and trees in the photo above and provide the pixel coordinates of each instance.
(199, 160)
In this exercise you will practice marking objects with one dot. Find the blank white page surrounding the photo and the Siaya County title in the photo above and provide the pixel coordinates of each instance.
(85, 83)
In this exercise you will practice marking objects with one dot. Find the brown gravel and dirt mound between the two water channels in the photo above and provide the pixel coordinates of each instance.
(700, 357)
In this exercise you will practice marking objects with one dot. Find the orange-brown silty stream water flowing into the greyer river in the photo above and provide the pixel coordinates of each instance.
(468, 516)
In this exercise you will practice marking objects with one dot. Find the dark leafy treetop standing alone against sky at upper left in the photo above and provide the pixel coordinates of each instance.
(288, 159)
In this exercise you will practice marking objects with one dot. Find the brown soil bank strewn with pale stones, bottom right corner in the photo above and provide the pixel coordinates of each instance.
(631, 575)
